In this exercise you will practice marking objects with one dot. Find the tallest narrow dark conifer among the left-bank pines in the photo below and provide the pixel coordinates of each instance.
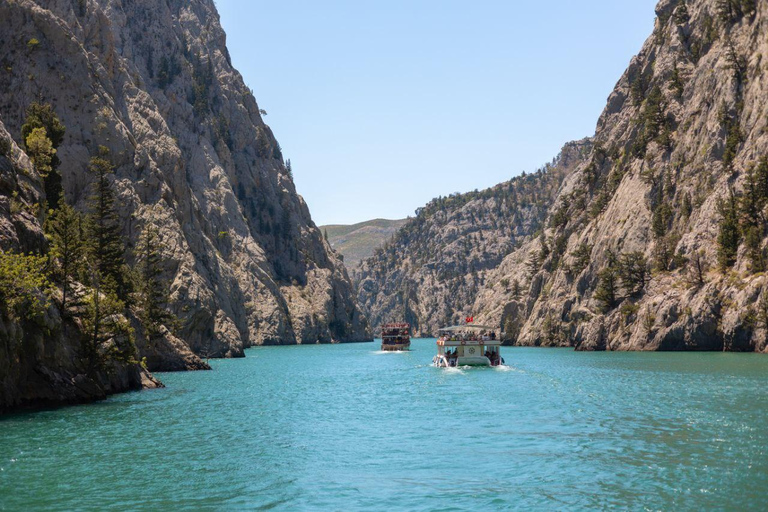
(105, 240)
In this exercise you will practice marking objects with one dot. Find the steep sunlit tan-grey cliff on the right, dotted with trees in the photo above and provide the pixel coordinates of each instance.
(685, 122)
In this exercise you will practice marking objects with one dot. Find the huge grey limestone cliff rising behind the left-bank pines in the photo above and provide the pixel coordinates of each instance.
(152, 82)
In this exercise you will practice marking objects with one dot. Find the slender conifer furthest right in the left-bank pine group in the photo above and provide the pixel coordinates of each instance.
(153, 289)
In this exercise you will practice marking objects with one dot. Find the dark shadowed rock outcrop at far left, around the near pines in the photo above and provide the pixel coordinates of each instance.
(38, 359)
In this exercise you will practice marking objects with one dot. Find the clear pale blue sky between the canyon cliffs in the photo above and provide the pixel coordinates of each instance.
(383, 105)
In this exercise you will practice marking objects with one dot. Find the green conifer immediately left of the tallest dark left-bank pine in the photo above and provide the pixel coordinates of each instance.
(65, 231)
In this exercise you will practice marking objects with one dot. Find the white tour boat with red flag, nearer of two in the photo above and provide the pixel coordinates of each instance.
(468, 345)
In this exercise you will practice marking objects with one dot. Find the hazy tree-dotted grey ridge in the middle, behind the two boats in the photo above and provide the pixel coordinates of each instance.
(430, 273)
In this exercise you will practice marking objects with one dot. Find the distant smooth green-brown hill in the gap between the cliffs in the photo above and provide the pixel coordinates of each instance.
(357, 242)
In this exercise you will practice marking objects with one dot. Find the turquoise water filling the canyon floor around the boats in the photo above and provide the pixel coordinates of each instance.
(345, 427)
